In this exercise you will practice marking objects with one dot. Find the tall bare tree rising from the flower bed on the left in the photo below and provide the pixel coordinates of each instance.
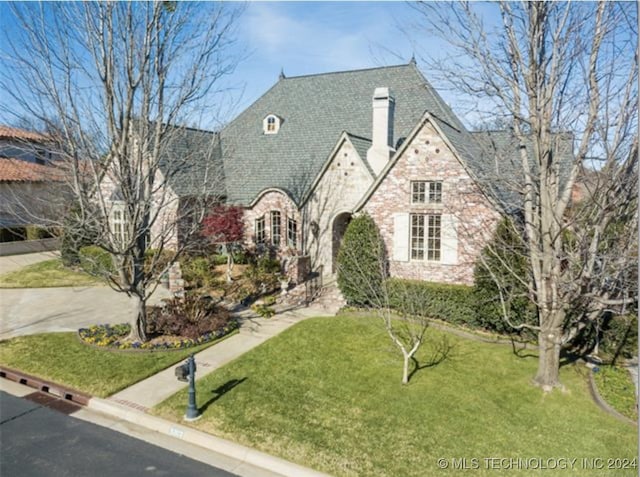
(110, 82)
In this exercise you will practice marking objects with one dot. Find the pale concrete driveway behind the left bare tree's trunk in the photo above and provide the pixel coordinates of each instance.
(26, 311)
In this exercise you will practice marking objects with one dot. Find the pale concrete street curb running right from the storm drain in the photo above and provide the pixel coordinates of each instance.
(187, 434)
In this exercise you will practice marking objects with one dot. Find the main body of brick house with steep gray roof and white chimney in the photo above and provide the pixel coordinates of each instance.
(314, 150)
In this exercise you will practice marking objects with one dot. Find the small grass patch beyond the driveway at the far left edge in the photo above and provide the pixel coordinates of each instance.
(50, 273)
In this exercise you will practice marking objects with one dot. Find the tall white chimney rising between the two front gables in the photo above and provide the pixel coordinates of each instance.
(382, 134)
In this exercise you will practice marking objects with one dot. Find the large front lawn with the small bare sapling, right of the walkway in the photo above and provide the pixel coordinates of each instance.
(327, 394)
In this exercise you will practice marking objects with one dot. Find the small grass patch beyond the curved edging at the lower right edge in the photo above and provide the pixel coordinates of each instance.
(616, 387)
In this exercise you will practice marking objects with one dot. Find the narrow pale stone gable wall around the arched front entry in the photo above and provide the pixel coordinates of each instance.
(344, 182)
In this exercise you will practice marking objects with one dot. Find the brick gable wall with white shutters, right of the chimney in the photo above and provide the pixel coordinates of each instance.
(468, 218)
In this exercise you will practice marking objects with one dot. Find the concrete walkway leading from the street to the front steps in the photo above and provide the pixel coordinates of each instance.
(253, 331)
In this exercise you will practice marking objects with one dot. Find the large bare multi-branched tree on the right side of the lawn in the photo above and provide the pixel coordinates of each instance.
(565, 75)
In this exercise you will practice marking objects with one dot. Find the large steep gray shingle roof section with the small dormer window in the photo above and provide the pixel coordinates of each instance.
(315, 110)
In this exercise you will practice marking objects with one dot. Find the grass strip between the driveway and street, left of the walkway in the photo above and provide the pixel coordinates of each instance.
(62, 358)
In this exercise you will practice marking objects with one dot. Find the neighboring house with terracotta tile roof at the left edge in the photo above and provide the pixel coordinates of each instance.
(29, 181)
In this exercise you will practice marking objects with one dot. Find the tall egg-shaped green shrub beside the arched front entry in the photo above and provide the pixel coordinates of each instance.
(361, 262)
